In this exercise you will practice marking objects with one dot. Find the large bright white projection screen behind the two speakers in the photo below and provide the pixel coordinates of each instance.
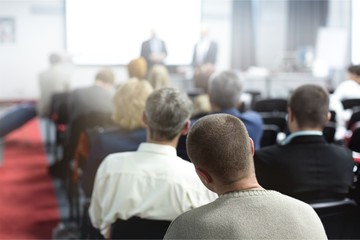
(110, 32)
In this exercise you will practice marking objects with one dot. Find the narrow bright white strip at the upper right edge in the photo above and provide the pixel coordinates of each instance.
(355, 32)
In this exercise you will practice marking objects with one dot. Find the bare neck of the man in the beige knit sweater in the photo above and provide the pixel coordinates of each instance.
(247, 183)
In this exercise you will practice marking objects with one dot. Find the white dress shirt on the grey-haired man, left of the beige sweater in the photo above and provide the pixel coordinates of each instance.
(151, 183)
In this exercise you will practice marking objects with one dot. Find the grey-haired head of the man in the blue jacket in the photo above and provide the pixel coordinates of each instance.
(225, 89)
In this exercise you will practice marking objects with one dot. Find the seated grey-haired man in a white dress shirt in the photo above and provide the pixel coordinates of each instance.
(152, 182)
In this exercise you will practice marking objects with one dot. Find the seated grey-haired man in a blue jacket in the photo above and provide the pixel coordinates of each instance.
(225, 90)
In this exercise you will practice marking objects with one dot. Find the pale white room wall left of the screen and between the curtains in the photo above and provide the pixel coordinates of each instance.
(39, 30)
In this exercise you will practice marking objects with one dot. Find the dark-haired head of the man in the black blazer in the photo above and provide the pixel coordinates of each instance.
(310, 105)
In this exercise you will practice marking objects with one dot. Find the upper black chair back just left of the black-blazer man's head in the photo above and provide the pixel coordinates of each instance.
(271, 105)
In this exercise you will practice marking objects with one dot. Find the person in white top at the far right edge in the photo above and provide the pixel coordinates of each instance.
(349, 88)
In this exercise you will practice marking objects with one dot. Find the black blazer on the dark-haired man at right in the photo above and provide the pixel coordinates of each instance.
(308, 168)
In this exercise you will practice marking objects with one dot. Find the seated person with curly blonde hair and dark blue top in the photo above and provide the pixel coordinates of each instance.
(128, 131)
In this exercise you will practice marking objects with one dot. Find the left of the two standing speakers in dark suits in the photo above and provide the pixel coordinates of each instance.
(153, 50)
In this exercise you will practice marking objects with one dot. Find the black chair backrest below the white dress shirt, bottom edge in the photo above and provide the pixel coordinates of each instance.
(139, 228)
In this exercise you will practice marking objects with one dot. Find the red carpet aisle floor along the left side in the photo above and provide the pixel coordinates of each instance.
(28, 206)
